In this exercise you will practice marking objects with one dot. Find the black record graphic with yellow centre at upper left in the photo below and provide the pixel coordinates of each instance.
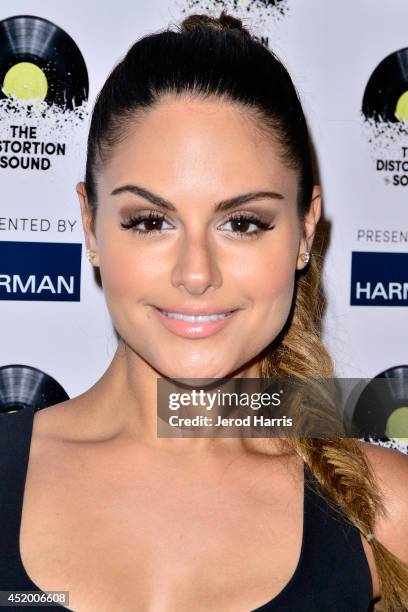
(40, 61)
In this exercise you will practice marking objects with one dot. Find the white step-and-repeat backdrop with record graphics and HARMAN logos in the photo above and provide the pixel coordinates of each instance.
(349, 62)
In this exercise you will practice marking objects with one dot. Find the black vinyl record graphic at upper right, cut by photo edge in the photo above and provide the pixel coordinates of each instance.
(386, 95)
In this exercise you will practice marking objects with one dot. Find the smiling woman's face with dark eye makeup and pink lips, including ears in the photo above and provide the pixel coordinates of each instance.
(193, 157)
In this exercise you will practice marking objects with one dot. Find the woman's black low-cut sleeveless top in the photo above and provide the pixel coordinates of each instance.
(332, 574)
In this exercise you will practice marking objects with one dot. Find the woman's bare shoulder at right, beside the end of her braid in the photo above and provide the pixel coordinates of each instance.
(390, 468)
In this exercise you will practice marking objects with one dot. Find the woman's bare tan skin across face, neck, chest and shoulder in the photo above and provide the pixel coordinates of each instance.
(159, 524)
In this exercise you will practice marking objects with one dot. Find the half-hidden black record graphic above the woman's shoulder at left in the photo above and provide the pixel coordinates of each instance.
(23, 386)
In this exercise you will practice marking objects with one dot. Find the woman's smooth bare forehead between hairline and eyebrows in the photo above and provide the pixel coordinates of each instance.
(184, 140)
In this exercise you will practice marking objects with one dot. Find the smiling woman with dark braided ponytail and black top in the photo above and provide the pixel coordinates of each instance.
(199, 199)
